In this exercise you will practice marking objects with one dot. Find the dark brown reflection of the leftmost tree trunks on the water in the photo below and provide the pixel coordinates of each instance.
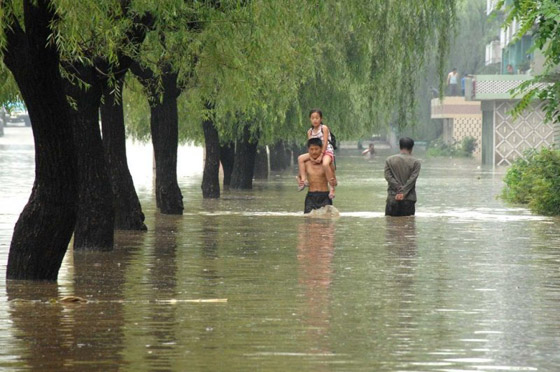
(59, 336)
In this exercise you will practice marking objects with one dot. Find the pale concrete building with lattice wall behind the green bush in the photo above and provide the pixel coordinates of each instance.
(503, 137)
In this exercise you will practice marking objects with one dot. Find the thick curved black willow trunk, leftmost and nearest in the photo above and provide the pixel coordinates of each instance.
(45, 226)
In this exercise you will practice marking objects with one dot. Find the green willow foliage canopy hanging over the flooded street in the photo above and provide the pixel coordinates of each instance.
(266, 62)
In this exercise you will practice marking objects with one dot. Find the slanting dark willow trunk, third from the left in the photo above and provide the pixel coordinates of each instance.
(128, 211)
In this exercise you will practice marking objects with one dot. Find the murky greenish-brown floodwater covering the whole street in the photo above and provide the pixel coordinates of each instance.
(248, 283)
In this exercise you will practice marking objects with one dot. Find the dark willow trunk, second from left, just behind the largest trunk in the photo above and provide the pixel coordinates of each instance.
(95, 221)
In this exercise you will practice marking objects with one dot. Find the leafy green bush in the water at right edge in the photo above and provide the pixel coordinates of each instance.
(535, 180)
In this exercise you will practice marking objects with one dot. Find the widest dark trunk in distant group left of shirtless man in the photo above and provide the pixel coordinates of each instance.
(244, 164)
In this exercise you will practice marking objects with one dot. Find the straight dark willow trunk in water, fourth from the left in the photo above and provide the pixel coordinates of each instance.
(165, 138)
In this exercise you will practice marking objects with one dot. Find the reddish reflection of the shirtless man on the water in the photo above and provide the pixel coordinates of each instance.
(315, 251)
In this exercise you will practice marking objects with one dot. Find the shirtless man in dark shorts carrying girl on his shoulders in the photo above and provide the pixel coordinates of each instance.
(318, 194)
